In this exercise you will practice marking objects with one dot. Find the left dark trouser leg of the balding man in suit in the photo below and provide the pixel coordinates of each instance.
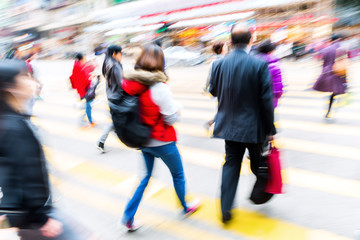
(230, 176)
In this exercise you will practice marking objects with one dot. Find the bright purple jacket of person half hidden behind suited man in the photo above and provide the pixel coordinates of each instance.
(275, 76)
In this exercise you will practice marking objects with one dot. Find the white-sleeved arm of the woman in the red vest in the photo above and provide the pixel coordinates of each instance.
(162, 96)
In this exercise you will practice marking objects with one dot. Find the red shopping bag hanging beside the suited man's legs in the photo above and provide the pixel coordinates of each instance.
(274, 184)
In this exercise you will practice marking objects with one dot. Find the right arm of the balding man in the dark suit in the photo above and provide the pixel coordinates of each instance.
(267, 109)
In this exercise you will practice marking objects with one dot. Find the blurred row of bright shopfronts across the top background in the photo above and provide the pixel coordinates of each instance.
(60, 27)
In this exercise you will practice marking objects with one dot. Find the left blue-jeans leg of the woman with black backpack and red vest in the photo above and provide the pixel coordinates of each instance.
(133, 204)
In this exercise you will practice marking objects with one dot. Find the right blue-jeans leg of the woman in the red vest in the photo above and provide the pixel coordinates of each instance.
(171, 157)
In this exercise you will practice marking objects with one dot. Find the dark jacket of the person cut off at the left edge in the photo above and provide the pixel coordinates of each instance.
(25, 194)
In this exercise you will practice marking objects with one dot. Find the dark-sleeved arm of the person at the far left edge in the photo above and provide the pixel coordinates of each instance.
(31, 172)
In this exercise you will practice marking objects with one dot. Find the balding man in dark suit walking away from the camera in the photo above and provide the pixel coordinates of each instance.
(245, 117)
